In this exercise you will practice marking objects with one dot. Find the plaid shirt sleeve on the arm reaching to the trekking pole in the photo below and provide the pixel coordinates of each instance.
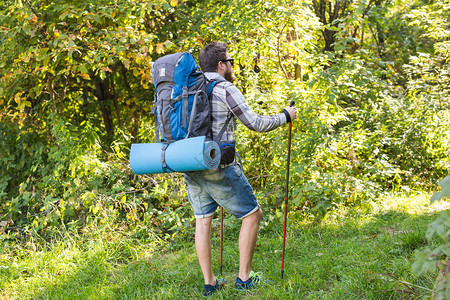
(260, 123)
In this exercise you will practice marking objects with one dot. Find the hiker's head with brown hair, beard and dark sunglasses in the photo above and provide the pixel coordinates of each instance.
(214, 58)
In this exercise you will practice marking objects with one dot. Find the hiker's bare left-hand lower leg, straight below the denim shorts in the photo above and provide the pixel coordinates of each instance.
(203, 247)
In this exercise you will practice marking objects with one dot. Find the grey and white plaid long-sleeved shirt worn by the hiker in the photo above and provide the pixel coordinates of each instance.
(226, 99)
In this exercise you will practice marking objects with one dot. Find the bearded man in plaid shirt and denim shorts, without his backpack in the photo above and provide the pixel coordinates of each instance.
(227, 186)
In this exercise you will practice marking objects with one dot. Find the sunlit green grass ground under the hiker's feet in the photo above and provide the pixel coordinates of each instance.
(363, 253)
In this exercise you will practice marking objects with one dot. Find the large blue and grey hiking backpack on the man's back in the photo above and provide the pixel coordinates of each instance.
(181, 102)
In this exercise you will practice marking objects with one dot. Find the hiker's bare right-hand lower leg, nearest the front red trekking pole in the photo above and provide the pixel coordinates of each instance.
(247, 243)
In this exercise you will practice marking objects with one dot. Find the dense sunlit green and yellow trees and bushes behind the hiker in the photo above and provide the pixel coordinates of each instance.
(370, 79)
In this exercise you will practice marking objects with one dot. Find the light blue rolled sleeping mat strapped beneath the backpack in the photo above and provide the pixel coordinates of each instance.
(192, 154)
